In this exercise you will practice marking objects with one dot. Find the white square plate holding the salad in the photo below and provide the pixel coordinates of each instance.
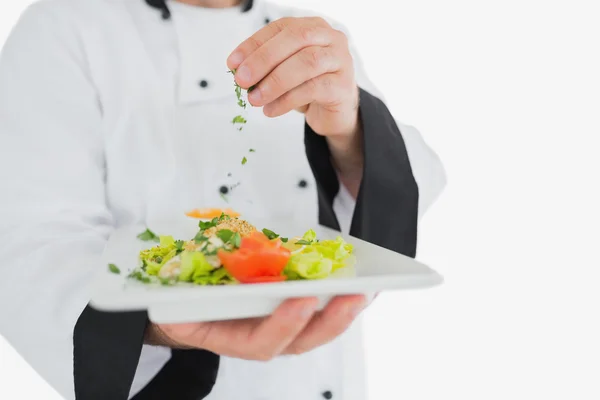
(377, 269)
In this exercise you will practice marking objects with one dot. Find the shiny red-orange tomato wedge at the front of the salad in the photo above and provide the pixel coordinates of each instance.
(257, 260)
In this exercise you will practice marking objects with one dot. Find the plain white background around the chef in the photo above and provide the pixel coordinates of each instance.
(508, 93)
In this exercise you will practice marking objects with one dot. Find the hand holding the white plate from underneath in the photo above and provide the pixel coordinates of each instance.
(294, 328)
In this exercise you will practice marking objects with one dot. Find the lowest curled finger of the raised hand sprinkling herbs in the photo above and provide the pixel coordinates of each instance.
(325, 89)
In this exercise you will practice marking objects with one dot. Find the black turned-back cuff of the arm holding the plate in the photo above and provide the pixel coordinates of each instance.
(107, 348)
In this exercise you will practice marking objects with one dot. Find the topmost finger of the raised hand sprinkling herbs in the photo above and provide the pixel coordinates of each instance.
(262, 36)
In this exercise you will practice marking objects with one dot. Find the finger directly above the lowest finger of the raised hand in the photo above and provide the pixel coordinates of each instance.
(303, 66)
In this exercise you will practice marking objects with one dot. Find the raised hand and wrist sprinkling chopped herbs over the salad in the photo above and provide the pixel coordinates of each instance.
(304, 64)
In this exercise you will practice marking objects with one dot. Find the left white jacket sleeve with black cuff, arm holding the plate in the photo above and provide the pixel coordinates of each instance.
(56, 222)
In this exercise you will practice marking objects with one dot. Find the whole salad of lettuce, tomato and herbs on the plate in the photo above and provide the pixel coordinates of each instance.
(228, 250)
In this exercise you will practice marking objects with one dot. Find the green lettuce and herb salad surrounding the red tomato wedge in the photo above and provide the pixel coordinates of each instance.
(198, 260)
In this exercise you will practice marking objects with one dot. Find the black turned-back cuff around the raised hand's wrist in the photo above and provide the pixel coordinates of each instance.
(387, 204)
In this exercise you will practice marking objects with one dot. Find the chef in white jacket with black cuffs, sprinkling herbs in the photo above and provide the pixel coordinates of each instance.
(119, 112)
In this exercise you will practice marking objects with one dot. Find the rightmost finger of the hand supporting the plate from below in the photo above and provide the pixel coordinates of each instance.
(334, 320)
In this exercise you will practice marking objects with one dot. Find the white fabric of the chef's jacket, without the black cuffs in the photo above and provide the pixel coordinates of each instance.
(110, 116)
